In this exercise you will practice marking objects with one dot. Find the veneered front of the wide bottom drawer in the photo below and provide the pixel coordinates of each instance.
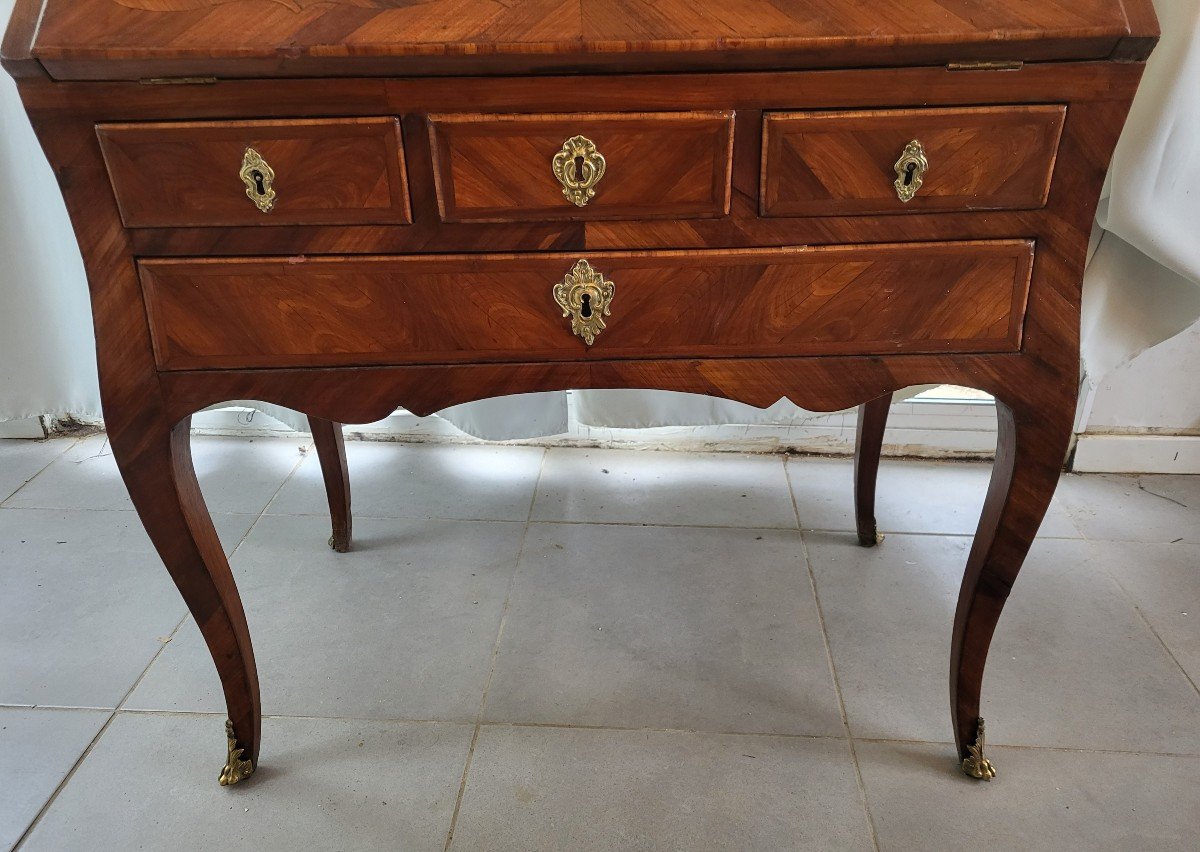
(928, 298)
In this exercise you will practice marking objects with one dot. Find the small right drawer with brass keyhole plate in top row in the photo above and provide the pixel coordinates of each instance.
(945, 160)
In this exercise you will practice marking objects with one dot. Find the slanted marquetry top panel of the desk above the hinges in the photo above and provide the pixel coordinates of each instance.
(118, 39)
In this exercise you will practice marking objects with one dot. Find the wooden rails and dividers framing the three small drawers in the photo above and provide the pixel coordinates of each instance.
(1094, 82)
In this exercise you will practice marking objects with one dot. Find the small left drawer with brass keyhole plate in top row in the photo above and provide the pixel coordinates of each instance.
(236, 173)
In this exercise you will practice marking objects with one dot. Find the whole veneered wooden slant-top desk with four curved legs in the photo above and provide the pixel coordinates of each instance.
(345, 207)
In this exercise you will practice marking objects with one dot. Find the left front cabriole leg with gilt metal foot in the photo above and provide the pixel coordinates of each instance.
(157, 465)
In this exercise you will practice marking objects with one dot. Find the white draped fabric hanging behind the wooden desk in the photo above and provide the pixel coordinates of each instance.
(1143, 281)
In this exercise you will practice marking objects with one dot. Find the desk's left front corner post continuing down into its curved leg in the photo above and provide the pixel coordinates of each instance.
(152, 447)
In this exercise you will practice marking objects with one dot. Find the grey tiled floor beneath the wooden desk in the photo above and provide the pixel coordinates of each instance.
(580, 650)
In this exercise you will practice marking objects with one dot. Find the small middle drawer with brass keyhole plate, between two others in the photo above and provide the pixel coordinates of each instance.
(523, 169)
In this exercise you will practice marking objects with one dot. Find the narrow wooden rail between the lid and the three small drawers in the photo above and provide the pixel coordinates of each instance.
(781, 92)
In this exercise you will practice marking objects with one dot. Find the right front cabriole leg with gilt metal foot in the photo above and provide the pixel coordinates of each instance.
(1030, 451)
